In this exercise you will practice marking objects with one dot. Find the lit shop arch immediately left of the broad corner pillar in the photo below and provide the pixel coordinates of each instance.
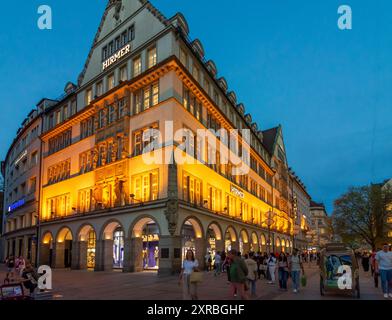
(144, 251)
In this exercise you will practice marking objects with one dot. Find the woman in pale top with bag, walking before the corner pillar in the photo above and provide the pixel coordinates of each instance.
(190, 276)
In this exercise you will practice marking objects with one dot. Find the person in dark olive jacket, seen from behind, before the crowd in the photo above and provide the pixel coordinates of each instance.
(238, 273)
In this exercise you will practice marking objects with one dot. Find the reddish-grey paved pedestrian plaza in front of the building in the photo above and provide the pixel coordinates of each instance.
(88, 285)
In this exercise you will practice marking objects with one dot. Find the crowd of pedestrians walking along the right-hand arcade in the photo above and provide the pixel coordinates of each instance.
(243, 271)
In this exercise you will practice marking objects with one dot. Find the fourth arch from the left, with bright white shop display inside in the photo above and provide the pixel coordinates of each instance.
(114, 232)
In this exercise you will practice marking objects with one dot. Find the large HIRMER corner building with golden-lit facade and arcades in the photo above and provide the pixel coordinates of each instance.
(102, 206)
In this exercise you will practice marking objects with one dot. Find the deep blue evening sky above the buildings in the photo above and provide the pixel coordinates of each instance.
(286, 60)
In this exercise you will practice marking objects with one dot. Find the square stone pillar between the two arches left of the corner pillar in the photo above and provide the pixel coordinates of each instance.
(133, 255)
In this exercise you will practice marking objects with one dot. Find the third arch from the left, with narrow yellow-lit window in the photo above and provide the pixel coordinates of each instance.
(87, 247)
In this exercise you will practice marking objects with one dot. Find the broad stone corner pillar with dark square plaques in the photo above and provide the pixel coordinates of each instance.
(169, 255)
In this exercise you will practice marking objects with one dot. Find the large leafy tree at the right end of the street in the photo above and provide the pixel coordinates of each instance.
(360, 215)
